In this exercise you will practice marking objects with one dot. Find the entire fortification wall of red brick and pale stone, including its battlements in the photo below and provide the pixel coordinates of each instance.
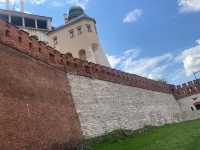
(36, 101)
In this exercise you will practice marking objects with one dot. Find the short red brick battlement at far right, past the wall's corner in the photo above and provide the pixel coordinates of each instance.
(186, 89)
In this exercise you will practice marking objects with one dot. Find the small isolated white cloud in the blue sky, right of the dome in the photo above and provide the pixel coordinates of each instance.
(133, 16)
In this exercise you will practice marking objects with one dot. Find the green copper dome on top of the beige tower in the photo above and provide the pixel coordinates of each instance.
(75, 11)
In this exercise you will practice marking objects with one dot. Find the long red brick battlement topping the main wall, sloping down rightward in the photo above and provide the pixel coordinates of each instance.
(20, 40)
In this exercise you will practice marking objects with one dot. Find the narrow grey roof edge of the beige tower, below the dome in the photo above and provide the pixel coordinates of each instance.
(84, 16)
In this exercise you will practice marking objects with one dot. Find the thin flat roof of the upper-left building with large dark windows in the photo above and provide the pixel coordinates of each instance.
(13, 12)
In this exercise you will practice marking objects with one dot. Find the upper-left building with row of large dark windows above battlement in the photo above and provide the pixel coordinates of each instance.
(35, 25)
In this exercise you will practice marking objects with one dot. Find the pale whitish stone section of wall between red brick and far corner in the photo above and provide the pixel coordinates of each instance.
(104, 106)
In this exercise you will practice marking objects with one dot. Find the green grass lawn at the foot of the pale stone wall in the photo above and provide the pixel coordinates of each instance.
(182, 136)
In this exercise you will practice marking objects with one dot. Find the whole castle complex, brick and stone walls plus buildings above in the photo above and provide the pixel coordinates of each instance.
(49, 101)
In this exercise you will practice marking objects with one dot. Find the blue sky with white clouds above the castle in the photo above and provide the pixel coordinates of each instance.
(157, 39)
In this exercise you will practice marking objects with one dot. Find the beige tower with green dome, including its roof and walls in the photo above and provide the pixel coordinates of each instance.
(79, 37)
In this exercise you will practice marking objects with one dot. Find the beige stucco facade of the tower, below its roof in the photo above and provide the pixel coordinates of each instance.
(81, 40)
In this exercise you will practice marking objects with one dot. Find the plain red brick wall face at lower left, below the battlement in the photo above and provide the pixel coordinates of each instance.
(36, 108)
